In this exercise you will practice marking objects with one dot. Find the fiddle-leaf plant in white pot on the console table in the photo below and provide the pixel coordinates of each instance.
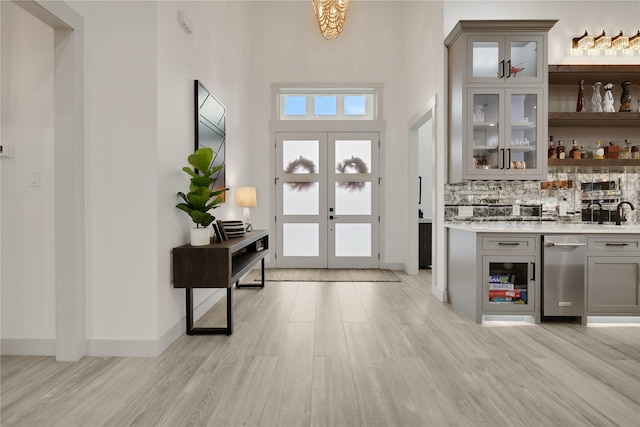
(201, 197)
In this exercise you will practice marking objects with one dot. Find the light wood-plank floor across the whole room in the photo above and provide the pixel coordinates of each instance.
(344, 354)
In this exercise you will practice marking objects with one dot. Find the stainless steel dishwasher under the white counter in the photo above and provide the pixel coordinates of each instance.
(563, 275)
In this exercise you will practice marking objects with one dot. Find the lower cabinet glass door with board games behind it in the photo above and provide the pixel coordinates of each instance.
(508, 284)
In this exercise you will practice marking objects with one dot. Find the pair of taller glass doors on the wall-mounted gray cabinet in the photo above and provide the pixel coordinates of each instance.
(504, 138)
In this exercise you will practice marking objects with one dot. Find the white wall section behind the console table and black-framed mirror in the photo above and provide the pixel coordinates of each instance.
(216, 53)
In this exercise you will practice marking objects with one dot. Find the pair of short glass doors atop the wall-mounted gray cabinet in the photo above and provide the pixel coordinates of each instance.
(510, 60)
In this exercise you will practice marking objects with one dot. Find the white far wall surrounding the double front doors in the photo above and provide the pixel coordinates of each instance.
(370, 49)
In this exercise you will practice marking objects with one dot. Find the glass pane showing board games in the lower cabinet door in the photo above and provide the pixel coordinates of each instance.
(508, 283)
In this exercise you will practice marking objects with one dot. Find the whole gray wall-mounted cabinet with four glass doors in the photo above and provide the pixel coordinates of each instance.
(497, 99)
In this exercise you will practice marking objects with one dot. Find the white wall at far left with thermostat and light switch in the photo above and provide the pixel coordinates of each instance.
(27, 273)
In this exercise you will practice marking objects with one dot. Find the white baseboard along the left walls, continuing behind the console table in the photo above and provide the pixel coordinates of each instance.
(112, 347)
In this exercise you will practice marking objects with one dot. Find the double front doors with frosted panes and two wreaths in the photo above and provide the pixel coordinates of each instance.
(327, 200)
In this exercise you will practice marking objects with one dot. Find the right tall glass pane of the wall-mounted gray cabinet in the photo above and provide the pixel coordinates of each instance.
(523, 131)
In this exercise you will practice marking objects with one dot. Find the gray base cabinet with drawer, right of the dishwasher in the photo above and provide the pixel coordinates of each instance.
(613, 275)
